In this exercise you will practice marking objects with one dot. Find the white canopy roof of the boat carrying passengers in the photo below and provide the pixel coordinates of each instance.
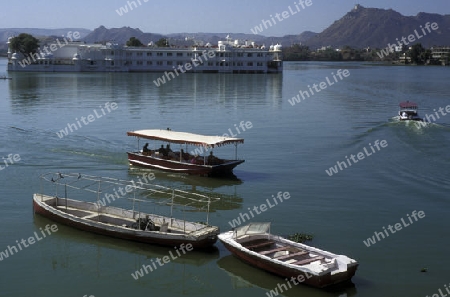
(184, 137)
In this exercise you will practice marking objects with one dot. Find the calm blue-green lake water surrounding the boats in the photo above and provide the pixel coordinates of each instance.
(288, 149)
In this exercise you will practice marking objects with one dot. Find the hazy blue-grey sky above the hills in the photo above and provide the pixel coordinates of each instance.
(175, 16)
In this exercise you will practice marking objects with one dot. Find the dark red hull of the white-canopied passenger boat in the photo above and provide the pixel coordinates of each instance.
(137, 159)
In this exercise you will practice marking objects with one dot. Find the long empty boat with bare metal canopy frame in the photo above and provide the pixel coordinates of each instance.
(98, 217)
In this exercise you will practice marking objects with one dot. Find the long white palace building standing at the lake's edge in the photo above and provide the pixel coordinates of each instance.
(227, 57)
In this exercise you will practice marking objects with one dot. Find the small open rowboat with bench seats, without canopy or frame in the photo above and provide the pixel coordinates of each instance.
(255, 245)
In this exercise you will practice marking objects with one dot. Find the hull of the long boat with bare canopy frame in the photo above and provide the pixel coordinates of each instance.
(150, 237)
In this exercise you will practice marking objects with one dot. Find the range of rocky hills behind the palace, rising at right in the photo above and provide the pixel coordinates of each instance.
(359, 28)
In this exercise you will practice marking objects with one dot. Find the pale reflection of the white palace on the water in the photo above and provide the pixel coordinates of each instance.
(29, 89)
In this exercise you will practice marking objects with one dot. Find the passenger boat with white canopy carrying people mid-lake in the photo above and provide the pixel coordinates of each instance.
(182, 161)
